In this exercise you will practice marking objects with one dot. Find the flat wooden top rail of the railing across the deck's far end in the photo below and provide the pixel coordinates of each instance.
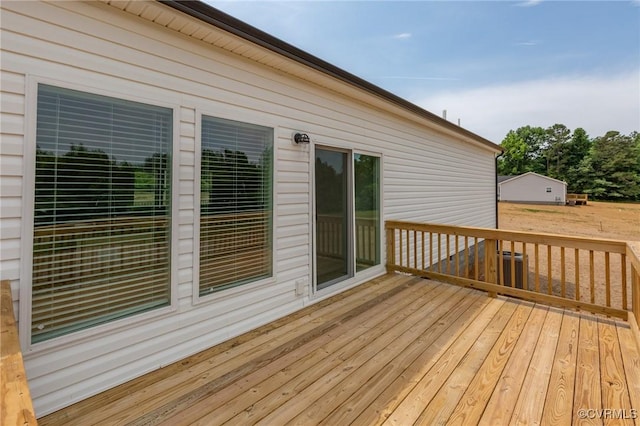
(597, 244)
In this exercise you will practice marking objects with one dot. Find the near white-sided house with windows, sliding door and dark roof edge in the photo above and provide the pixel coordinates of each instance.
(173, 177)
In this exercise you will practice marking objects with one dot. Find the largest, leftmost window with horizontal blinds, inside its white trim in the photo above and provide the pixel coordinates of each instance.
(101, 240)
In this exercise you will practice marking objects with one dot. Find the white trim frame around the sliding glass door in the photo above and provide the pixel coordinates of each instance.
(358, 278)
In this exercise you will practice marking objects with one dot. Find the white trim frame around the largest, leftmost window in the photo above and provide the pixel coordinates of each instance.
(28, 205)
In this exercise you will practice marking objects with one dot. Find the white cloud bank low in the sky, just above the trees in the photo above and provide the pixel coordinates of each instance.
(595, 103)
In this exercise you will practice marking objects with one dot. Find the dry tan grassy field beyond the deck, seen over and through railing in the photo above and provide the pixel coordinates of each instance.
(619, 221)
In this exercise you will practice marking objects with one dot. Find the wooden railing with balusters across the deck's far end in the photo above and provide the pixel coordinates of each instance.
(596, 275)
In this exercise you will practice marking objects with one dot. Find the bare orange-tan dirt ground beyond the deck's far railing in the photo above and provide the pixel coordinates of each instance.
(595, 220)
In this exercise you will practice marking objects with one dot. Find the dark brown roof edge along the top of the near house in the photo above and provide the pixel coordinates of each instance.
(219, 19)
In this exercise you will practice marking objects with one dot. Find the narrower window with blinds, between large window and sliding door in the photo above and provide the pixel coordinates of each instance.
(235, 204)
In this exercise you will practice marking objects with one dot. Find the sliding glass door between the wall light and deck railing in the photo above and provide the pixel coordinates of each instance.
(347, 214)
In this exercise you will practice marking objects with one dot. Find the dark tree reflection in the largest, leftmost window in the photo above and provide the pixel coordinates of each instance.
(87, 184)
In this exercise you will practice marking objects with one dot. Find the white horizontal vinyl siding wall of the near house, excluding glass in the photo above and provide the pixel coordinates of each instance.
(427, 176)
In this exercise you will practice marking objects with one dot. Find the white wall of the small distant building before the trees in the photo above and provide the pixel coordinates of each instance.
(532, 188)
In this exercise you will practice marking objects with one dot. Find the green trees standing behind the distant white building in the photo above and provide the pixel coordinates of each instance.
(605, 167)
